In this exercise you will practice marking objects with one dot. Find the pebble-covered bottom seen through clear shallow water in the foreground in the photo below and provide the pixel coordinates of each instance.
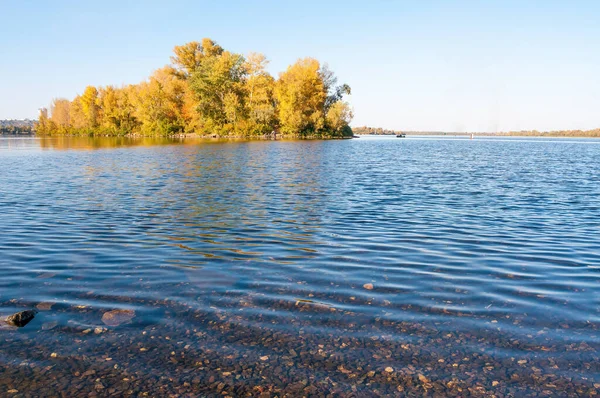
(204, 356)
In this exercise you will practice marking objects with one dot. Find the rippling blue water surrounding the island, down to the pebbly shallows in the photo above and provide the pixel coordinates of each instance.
(367, 267)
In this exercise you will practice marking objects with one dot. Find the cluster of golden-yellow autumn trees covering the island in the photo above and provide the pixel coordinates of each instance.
(207, 90)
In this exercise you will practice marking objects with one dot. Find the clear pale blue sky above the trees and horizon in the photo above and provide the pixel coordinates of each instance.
(412, 65)
